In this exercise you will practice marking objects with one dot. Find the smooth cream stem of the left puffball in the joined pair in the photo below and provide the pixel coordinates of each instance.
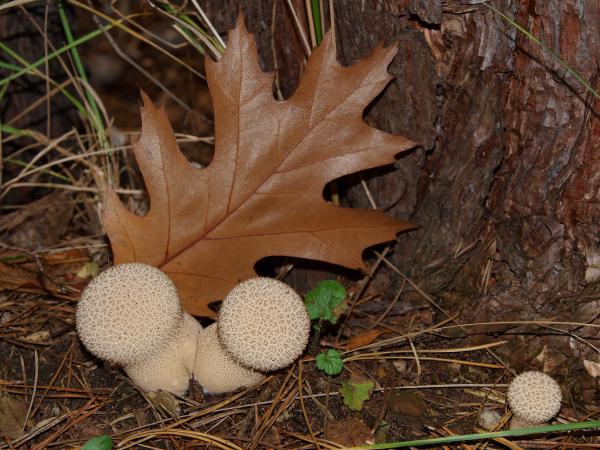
(171, 367)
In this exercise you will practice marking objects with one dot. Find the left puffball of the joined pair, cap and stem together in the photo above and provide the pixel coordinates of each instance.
(131, 315)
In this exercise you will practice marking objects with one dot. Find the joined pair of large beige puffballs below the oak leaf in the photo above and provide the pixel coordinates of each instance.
(131, 315)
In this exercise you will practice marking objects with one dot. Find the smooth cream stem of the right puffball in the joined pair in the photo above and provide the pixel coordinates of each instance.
(215, 370)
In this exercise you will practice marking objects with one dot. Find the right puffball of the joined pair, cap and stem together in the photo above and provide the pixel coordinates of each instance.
(263, 325)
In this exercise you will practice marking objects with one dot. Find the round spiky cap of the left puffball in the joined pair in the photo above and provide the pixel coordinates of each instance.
(128, 312)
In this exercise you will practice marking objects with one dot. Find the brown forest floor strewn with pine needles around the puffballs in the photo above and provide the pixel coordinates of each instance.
(429, 380)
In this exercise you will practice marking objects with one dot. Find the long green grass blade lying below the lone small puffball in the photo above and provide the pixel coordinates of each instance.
(491, 435)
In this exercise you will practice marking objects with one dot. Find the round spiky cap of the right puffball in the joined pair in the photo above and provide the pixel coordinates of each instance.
(263, 324)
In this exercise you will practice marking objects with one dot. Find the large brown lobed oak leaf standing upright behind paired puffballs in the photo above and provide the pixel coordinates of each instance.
(262, 194)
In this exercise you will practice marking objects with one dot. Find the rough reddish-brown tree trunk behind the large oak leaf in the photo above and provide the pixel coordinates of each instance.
(505, 187)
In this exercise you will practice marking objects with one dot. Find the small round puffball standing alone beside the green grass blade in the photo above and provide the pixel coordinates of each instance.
(534, 398)
